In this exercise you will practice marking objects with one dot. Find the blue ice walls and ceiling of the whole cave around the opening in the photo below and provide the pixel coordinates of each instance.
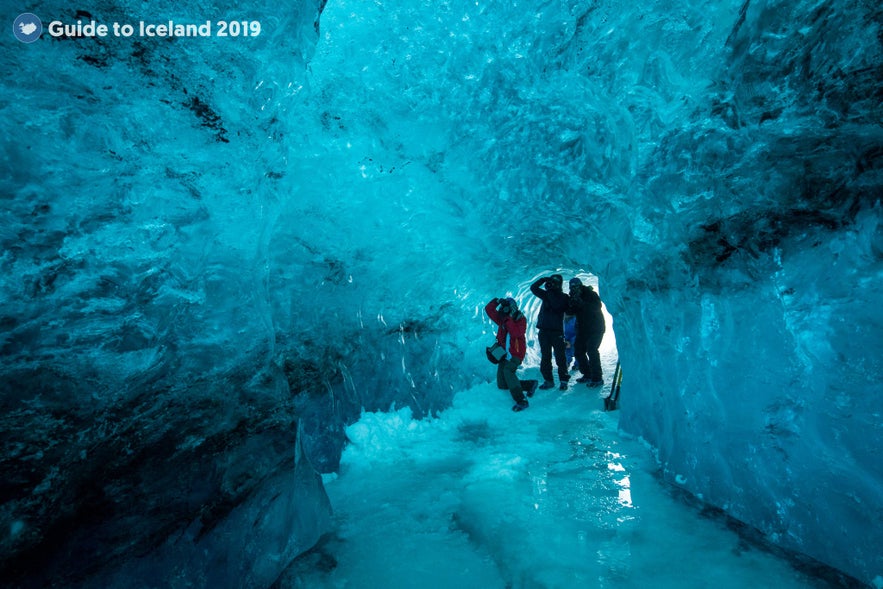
(211, 244)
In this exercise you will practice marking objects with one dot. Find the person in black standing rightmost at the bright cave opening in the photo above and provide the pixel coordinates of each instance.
(585, 304)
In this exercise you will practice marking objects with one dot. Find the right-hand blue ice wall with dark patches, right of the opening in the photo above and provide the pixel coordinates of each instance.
(753, 332)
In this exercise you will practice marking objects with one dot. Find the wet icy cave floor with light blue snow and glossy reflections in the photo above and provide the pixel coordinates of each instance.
(552, 497)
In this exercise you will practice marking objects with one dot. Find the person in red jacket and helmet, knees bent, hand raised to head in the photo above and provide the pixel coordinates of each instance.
(510, 335)
